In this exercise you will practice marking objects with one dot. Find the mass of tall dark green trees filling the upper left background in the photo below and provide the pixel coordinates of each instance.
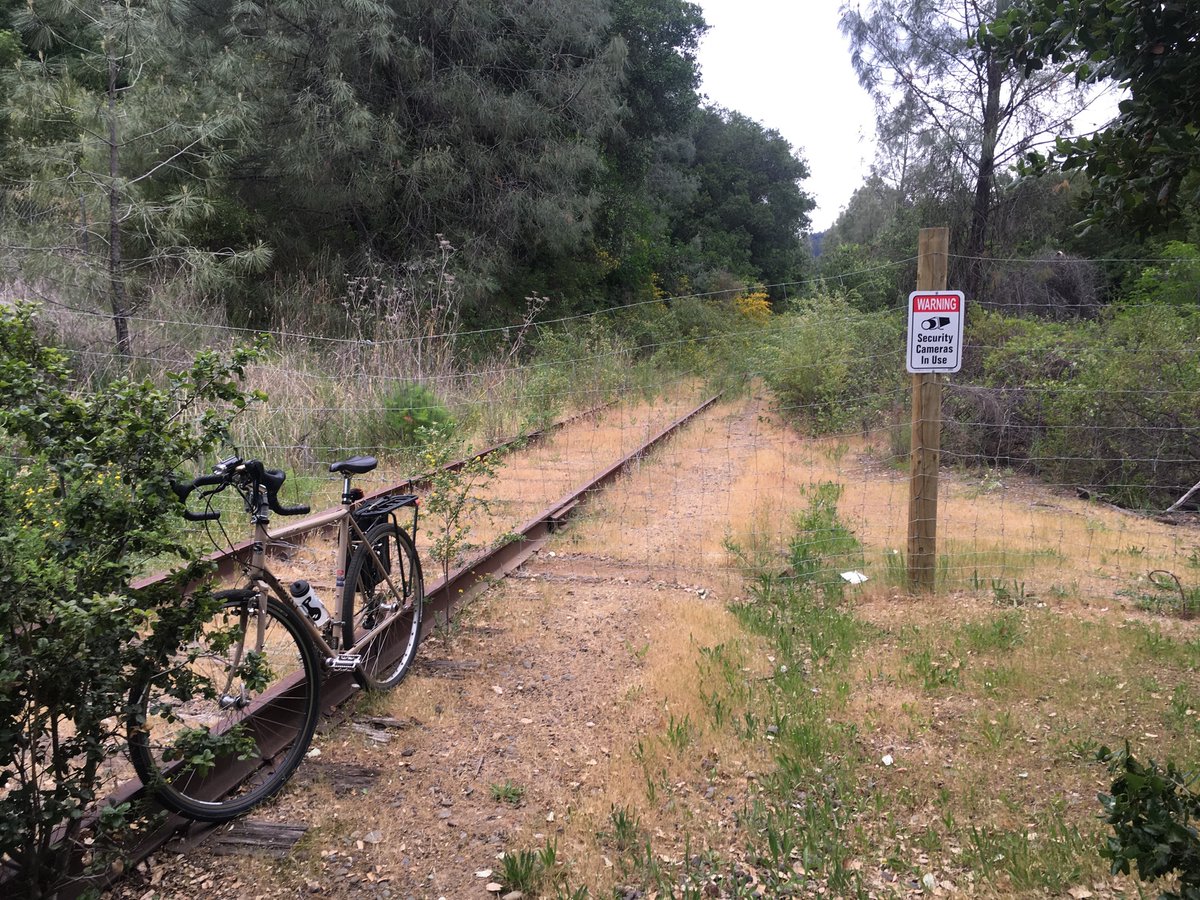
(561, 145)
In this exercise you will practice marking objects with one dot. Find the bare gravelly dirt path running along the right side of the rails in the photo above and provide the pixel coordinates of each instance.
(519, 724)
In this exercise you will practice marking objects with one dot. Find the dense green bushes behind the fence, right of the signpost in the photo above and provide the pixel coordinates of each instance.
(1107, 404)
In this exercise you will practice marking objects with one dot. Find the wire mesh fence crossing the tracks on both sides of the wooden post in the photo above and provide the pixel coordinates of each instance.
(1064, 442)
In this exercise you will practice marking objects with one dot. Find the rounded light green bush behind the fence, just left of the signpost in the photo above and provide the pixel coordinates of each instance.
(832, 367)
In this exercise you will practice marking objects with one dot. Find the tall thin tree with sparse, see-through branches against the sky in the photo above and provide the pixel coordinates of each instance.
(964, 111)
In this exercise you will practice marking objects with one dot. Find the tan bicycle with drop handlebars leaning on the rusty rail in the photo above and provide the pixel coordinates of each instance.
(227, 721)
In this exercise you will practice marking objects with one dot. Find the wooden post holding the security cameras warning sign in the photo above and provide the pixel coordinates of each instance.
(927, 429)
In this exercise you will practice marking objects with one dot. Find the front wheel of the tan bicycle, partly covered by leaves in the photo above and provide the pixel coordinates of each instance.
(265, 742)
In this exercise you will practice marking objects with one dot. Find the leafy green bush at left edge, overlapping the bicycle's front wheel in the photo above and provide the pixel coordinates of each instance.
(87, 502)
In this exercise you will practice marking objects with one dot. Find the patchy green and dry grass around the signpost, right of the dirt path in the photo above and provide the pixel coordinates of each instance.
(989, 703)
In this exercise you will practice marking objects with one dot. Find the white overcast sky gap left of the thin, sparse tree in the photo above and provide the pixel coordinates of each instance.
(787, 64)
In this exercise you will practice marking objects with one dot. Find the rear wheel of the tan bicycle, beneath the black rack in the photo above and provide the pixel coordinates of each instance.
(387, 659)
